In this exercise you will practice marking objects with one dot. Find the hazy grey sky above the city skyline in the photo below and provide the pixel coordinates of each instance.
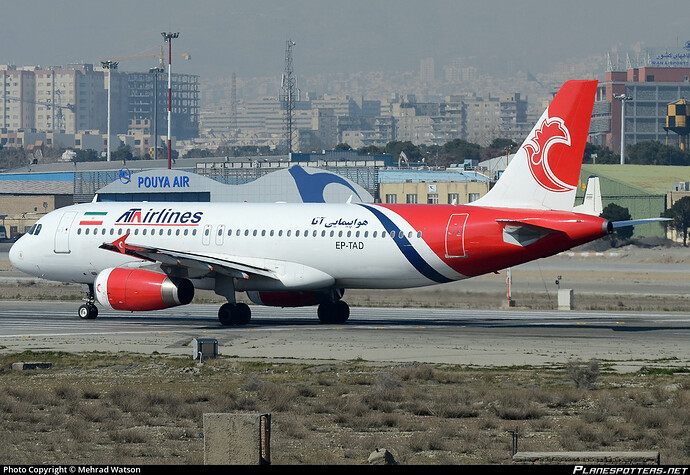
(248, 37)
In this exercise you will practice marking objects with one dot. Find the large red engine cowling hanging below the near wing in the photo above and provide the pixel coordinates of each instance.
(138, 290)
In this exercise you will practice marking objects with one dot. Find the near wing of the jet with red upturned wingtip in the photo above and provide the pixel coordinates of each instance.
(200, 263)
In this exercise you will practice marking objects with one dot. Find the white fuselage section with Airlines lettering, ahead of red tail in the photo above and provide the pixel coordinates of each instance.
(306, 246)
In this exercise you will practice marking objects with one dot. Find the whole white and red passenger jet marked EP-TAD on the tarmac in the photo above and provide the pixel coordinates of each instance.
(148, 256)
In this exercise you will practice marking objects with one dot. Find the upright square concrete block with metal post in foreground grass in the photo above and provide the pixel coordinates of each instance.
(236, 439)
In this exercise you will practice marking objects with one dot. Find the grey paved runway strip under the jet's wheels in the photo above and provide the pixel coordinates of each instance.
(623, 341)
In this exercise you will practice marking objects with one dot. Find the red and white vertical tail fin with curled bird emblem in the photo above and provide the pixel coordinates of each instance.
(544, 172)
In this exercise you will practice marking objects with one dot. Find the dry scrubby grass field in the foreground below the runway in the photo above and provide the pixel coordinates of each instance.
(129, 409)
